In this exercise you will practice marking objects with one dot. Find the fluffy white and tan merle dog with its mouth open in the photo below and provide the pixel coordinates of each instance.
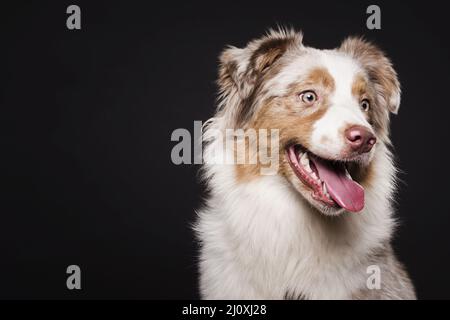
(322, 222)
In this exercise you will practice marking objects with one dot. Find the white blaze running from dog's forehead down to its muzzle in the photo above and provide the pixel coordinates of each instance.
(344, 111)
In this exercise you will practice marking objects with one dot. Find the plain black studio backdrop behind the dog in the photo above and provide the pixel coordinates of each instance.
(86, 119)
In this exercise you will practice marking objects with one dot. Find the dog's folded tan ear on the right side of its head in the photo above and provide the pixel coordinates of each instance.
(379, 69)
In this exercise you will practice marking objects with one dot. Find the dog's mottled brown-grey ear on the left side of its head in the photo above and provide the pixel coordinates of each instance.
(241, 69)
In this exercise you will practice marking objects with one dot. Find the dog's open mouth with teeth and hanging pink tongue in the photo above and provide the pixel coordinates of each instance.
(330, 182)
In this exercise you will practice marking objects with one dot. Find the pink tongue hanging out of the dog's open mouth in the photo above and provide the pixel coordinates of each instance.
(344, 191)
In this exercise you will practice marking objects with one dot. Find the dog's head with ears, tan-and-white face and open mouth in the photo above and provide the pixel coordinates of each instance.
(331, 108)
